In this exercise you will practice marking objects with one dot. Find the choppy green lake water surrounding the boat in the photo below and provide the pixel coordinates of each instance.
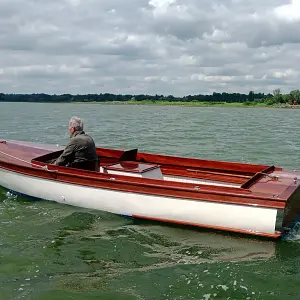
(52, 251)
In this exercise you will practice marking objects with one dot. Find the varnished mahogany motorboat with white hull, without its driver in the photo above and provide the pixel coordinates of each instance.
(238, 197)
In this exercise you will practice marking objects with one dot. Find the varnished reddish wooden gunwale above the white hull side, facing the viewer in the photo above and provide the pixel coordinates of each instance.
(140, 186)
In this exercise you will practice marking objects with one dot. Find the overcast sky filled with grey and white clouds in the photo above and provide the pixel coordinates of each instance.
(165, 47)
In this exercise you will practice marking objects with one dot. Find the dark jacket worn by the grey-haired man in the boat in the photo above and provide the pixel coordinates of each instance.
(80, 151)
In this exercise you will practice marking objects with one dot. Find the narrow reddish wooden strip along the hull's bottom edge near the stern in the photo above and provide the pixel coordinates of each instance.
(275, 235)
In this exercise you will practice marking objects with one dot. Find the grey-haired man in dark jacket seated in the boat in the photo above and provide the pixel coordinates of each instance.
(80, 152)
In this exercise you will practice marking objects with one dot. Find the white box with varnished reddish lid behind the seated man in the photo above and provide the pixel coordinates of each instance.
(136, 169)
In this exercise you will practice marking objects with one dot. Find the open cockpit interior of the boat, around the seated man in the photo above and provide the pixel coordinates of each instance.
(129, 163)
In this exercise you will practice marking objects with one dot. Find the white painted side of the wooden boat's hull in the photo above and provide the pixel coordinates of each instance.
(237, 217)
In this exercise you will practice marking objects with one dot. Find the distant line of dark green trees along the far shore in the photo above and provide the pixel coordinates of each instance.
(275, 98)
